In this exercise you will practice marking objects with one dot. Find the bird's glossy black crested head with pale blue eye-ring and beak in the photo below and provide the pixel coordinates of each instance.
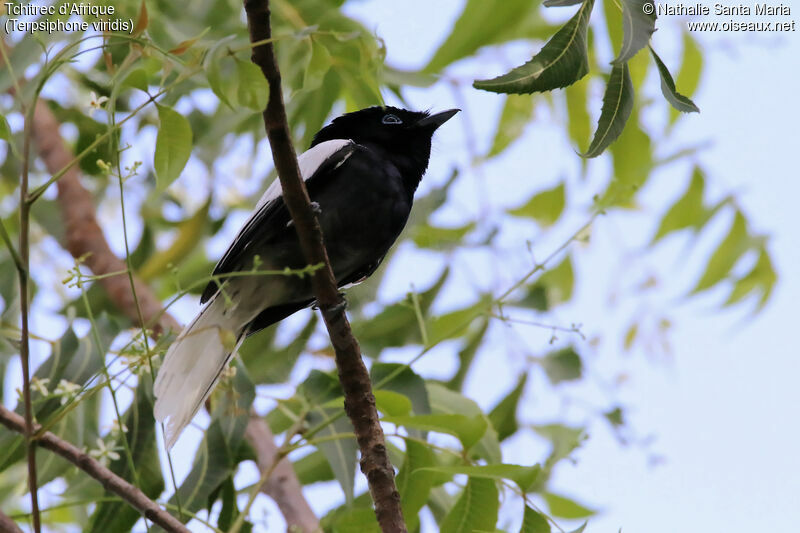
(403, 136)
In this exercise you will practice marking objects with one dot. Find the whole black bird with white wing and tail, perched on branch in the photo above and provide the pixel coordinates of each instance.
(361, 172)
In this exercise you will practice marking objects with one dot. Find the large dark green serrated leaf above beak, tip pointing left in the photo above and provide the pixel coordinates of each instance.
(561, 62)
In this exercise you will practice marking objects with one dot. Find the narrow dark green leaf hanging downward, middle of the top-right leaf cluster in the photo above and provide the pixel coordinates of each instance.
(617, 107)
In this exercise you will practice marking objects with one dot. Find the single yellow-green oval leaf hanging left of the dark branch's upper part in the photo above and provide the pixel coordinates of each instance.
(173, 145)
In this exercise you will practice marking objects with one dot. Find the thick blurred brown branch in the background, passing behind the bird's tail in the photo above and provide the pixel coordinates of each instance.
(83, 235)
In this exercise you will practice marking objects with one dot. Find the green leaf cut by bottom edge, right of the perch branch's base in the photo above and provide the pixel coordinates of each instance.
(476, 508)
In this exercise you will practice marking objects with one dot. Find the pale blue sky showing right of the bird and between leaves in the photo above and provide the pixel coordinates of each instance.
(724, 408)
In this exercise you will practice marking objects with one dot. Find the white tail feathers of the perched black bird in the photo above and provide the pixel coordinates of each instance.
(193, 365)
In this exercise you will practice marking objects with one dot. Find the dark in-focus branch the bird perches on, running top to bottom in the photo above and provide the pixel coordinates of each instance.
(353, 375)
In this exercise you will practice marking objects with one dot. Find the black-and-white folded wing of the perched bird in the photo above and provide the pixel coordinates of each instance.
(328, 154)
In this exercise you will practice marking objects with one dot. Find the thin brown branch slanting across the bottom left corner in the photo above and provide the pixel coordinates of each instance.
(109, 480)
